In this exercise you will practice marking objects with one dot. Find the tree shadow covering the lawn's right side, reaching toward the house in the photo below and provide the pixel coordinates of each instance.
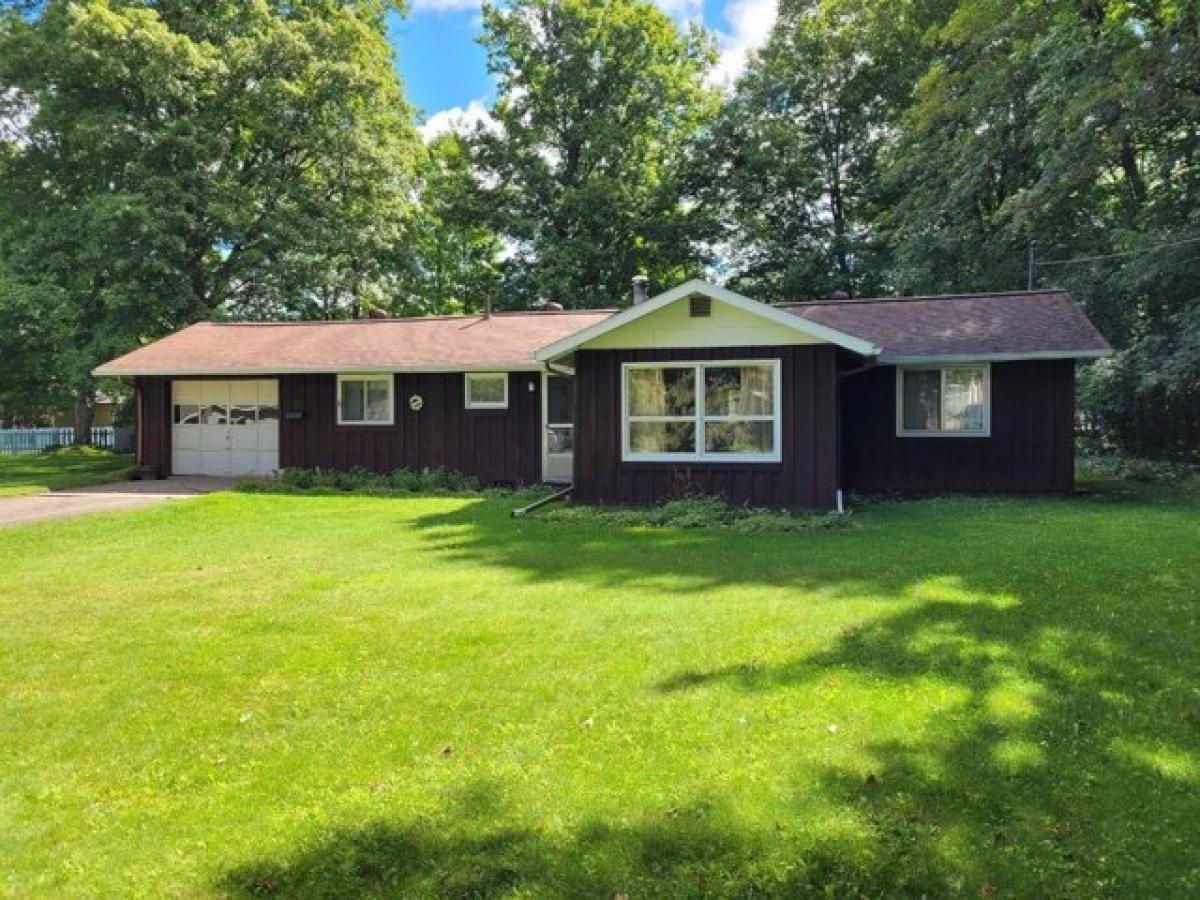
(1072, 765)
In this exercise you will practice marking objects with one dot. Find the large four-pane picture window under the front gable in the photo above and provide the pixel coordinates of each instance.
(718, 412)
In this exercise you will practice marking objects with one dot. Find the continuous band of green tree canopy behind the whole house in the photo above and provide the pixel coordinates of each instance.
(167, 161)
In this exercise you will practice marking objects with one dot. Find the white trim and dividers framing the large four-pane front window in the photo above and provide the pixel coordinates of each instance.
(699, 418)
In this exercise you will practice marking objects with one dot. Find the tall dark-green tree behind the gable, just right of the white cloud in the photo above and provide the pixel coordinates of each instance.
(796, 151)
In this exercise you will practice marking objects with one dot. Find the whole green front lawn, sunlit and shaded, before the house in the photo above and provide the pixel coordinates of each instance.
(347, 697)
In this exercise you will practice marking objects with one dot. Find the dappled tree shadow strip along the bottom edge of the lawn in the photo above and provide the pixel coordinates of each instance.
(688, 853)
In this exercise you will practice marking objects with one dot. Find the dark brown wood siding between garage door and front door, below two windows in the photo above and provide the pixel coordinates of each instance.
(497, 446)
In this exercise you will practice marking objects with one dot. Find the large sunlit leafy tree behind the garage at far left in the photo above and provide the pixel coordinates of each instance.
(185, 159)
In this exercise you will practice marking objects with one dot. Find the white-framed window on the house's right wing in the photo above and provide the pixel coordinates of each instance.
(947, 401)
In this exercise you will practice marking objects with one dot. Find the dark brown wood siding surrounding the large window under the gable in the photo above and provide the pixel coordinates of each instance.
(806, 477)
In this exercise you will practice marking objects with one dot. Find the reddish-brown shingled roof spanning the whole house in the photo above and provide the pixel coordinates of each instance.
(1041, 325)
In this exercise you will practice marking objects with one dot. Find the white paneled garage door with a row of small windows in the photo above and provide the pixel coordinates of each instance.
(225, 428)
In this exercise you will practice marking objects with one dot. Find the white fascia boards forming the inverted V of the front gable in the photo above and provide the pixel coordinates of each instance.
(699, 287)
